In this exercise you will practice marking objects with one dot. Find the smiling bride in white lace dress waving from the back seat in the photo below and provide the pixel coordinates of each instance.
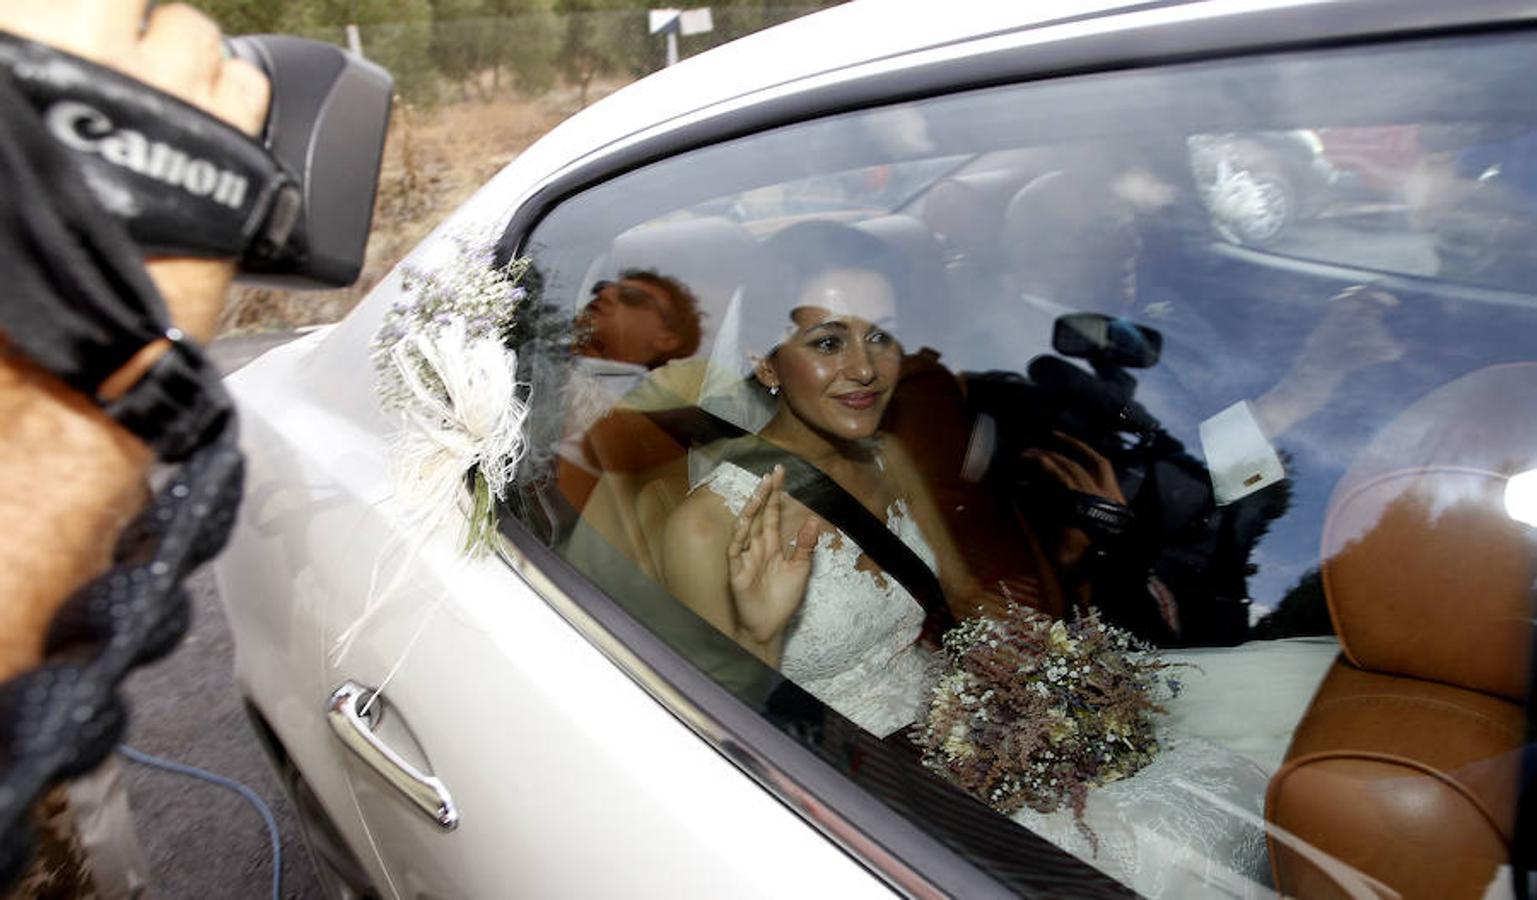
(805, 598)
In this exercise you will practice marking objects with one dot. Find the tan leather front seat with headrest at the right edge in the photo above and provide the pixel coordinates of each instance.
(1404, 772)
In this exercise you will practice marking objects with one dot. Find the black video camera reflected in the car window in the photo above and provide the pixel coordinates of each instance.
(1169, 532)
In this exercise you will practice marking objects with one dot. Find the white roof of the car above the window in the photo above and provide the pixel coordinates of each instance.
(861, 38)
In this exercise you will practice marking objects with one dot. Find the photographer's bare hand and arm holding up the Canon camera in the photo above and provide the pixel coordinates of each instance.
(70, 477)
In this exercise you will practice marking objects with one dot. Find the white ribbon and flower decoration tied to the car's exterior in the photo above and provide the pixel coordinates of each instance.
(443, 363)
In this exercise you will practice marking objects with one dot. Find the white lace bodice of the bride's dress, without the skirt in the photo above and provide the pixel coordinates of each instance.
(852, 644)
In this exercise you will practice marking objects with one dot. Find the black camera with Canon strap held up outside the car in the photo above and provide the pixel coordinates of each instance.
(293, 208)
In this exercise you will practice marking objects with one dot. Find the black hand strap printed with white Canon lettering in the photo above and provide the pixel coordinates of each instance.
(184, 182)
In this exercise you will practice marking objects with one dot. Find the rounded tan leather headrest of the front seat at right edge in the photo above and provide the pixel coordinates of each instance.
(1426, 572)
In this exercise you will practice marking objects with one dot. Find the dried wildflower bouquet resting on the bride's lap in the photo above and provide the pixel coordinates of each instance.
(1035, 712)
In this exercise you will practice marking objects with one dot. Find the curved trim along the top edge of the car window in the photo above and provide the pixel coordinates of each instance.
(1144, 36)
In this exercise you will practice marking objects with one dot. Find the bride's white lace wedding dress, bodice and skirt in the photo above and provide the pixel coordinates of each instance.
(1192, 824)
